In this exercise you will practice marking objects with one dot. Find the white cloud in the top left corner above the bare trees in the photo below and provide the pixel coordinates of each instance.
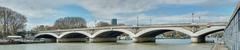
(34, 8)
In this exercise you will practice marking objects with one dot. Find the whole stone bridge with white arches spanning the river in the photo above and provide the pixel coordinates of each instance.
(136, 31)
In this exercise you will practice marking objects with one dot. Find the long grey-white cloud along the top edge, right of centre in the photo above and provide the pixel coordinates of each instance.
(114, 7)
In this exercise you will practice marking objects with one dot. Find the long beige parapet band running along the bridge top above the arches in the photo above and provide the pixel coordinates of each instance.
(182, 25)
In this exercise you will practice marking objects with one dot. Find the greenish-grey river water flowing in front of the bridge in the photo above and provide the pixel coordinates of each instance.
(176, 44)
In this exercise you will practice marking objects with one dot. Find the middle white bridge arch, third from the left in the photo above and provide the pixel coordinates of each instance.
(131, 34)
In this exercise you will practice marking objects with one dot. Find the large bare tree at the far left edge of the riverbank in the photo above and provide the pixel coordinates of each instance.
(11, 22)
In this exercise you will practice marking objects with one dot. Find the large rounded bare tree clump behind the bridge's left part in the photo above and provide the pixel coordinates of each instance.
(70, 23)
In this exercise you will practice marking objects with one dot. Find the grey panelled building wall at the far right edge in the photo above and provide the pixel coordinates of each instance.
(232, 31)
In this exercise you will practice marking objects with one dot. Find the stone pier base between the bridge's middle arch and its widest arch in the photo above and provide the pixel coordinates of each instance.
(144, 39)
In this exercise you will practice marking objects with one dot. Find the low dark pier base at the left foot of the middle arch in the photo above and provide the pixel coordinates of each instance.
(98, 40)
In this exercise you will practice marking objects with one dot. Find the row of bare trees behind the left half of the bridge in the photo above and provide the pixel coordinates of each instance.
(70, 23)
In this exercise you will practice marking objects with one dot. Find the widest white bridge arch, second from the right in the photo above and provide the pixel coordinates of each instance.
(173, 29)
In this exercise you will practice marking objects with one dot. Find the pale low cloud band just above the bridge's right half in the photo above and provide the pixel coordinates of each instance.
(205, 16)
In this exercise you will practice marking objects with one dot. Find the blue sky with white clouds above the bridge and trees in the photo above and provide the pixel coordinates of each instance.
(46, 12)
